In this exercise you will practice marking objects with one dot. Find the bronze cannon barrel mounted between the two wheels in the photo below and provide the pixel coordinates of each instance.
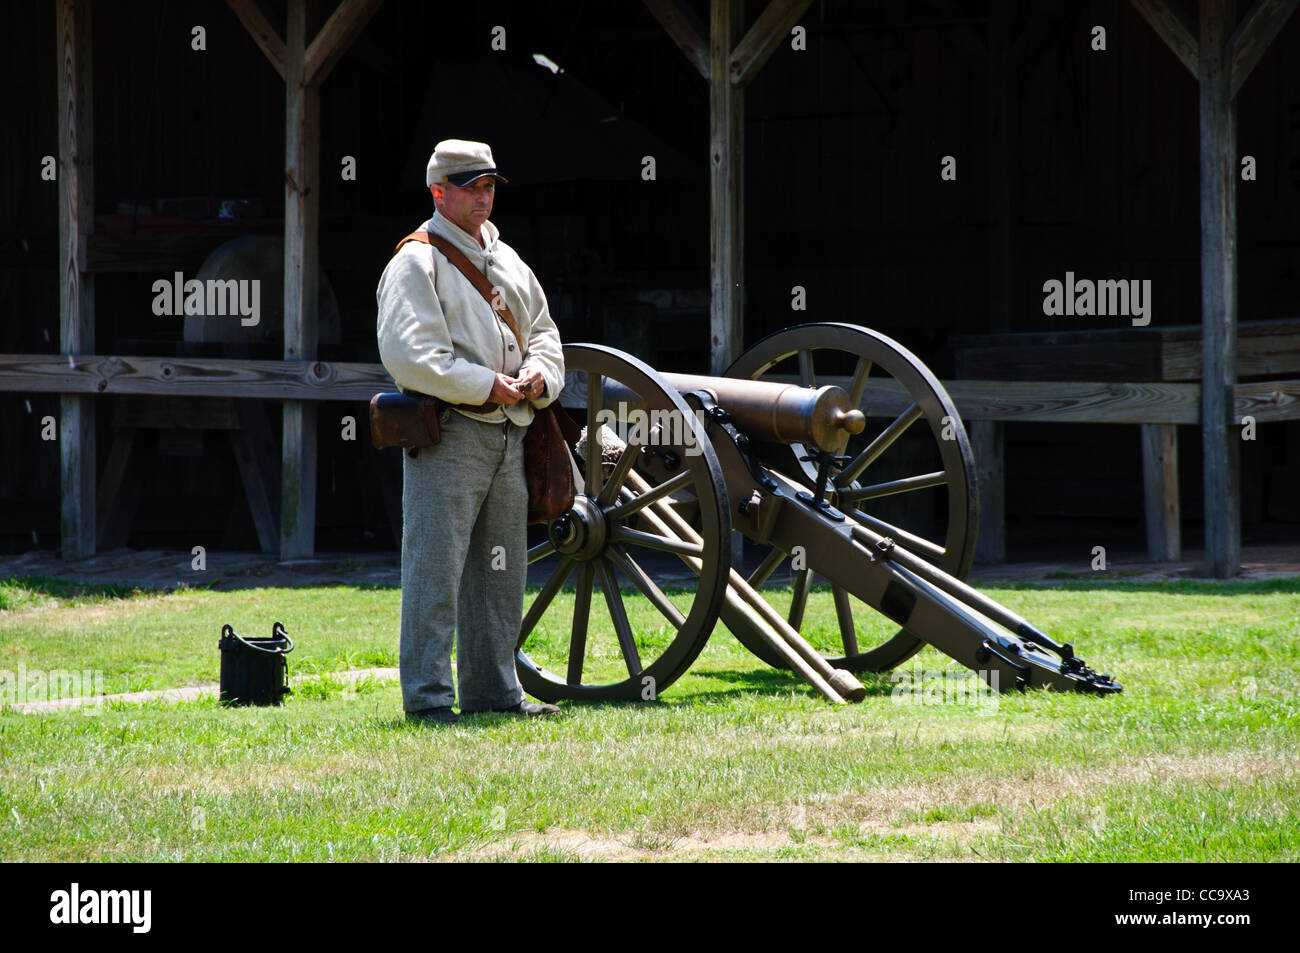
(764, 410)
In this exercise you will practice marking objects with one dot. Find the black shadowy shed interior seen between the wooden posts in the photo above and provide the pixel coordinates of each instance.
(1091, 157)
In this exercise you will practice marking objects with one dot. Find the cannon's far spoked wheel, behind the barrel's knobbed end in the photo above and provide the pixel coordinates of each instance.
(911, 475)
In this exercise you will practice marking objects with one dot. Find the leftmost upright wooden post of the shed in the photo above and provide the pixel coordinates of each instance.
(76, 288)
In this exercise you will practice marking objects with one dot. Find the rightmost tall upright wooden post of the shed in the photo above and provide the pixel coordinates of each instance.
(1220, 436)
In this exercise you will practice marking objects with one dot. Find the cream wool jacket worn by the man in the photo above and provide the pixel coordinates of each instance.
(440, 337)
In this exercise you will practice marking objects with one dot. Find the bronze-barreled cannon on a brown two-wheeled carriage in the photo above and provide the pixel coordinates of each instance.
(830, 447)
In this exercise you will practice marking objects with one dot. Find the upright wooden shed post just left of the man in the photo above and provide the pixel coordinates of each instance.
(302, 265)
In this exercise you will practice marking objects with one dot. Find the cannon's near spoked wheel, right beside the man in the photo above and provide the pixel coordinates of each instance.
(643, 634)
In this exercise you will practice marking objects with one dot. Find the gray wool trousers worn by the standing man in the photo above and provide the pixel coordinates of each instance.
(465, 561)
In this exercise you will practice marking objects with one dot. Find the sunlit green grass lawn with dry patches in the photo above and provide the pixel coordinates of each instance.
(1199, 759)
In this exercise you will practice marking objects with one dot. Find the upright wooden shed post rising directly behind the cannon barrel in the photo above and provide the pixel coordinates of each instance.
(727, 189)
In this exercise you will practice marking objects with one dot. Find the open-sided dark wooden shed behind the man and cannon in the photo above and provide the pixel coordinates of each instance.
(926, 170)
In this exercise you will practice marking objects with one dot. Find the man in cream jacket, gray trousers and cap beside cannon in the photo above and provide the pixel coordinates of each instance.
(465, 503)
